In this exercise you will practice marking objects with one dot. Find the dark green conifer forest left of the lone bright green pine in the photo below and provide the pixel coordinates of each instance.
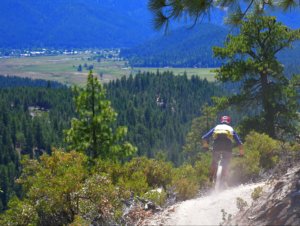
(33, 114)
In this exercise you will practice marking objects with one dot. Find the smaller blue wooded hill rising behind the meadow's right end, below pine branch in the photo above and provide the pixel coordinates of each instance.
(183, 47)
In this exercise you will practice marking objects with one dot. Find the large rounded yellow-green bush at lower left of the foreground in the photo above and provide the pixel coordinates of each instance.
(51, 185)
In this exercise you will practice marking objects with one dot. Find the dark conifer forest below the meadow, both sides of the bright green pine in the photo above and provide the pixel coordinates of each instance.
(157, 109)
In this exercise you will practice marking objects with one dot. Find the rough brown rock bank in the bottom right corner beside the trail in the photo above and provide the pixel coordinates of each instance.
(279, 205)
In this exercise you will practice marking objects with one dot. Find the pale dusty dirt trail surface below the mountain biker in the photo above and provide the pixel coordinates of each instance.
(206, 210)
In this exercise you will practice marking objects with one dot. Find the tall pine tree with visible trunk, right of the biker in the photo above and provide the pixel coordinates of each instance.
(251, 60)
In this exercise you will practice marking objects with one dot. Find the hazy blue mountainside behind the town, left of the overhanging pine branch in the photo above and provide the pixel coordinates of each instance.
(76, 23)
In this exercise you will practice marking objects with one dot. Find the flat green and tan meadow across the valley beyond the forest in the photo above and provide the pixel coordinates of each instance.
(63, 68)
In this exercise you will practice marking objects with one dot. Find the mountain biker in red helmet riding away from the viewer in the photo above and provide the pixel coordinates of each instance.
(223, 136)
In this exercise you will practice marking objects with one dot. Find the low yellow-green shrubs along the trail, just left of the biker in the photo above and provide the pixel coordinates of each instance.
(141, 175)
